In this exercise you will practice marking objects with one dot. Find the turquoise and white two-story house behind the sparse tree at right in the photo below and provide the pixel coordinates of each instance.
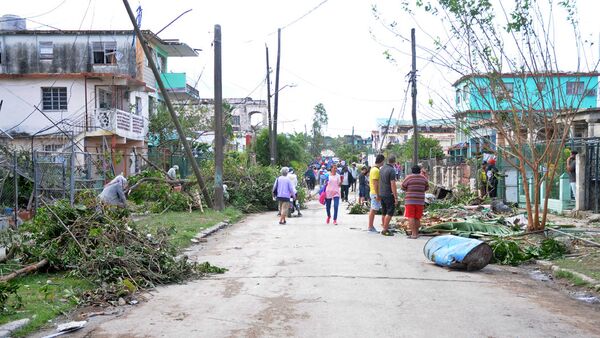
(478, 96)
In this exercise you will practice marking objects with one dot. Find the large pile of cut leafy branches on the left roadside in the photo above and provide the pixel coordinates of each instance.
(103, 246)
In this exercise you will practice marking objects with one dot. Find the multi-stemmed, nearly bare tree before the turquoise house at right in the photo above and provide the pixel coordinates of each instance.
(490, 41)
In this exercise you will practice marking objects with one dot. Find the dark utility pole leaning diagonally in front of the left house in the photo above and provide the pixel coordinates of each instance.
(161, 86)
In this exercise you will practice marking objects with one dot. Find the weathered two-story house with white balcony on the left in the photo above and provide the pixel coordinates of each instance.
(91, 87)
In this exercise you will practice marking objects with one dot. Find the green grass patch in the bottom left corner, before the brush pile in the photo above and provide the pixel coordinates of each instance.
(44, 297)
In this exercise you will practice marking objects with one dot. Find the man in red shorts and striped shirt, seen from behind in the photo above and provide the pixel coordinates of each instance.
(415, 185)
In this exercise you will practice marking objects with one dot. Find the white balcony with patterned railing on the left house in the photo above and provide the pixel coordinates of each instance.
(119, 122)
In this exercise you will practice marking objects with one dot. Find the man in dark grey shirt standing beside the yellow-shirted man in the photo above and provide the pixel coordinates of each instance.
(388, 193)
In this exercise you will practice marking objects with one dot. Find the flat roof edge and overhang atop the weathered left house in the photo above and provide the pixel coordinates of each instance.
(171, 46)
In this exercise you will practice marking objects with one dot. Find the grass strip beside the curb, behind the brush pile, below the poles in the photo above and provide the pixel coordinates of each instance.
(187, 225)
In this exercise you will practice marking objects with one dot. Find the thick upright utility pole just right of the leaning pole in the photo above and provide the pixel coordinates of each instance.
(219, 204)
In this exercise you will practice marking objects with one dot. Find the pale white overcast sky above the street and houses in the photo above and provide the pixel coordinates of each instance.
(331, 50)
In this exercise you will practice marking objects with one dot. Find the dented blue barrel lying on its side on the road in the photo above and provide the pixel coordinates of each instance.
(458, 252)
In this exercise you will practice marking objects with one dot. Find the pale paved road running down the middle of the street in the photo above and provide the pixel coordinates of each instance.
(309, 279)
